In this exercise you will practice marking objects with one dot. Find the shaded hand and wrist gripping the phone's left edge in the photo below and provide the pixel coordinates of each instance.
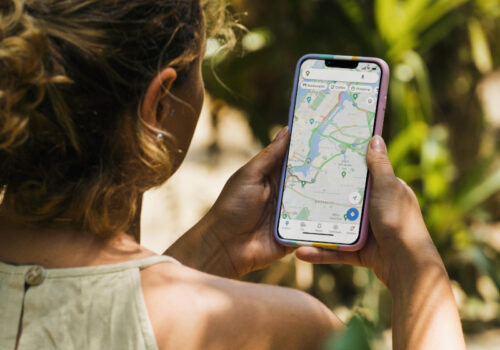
(236, 236)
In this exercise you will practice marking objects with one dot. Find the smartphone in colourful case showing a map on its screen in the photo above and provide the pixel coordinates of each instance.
(338, 104)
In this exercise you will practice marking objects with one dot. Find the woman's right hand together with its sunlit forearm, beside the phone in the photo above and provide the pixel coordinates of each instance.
(400, 252)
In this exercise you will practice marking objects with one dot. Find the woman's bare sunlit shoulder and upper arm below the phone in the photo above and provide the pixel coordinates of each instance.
(190, 309)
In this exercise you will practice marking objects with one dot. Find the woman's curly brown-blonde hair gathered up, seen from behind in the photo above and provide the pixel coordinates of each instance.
(72, 77)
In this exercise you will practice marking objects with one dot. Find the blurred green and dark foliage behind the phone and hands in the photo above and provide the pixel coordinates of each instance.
(442, 128)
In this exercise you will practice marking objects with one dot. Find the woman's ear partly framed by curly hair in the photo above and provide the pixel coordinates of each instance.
(158, 88)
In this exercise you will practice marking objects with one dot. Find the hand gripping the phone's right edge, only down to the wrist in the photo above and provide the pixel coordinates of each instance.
(398, 232)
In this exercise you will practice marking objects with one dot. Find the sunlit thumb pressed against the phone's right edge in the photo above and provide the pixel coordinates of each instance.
(378, 161)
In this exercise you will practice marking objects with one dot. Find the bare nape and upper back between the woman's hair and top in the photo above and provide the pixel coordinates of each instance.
(63, 245)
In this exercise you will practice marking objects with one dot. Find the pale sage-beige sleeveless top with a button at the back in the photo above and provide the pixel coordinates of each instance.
(96, 307)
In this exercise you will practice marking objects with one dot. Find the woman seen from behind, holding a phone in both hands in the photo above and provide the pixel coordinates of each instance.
(98, 103)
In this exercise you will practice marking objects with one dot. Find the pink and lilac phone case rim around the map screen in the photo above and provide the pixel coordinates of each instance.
(377, 130)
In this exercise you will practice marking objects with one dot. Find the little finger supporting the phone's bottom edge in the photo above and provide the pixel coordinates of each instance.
(323, 256)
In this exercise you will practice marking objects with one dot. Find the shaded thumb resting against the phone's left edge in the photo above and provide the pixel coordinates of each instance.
(266, 160)
